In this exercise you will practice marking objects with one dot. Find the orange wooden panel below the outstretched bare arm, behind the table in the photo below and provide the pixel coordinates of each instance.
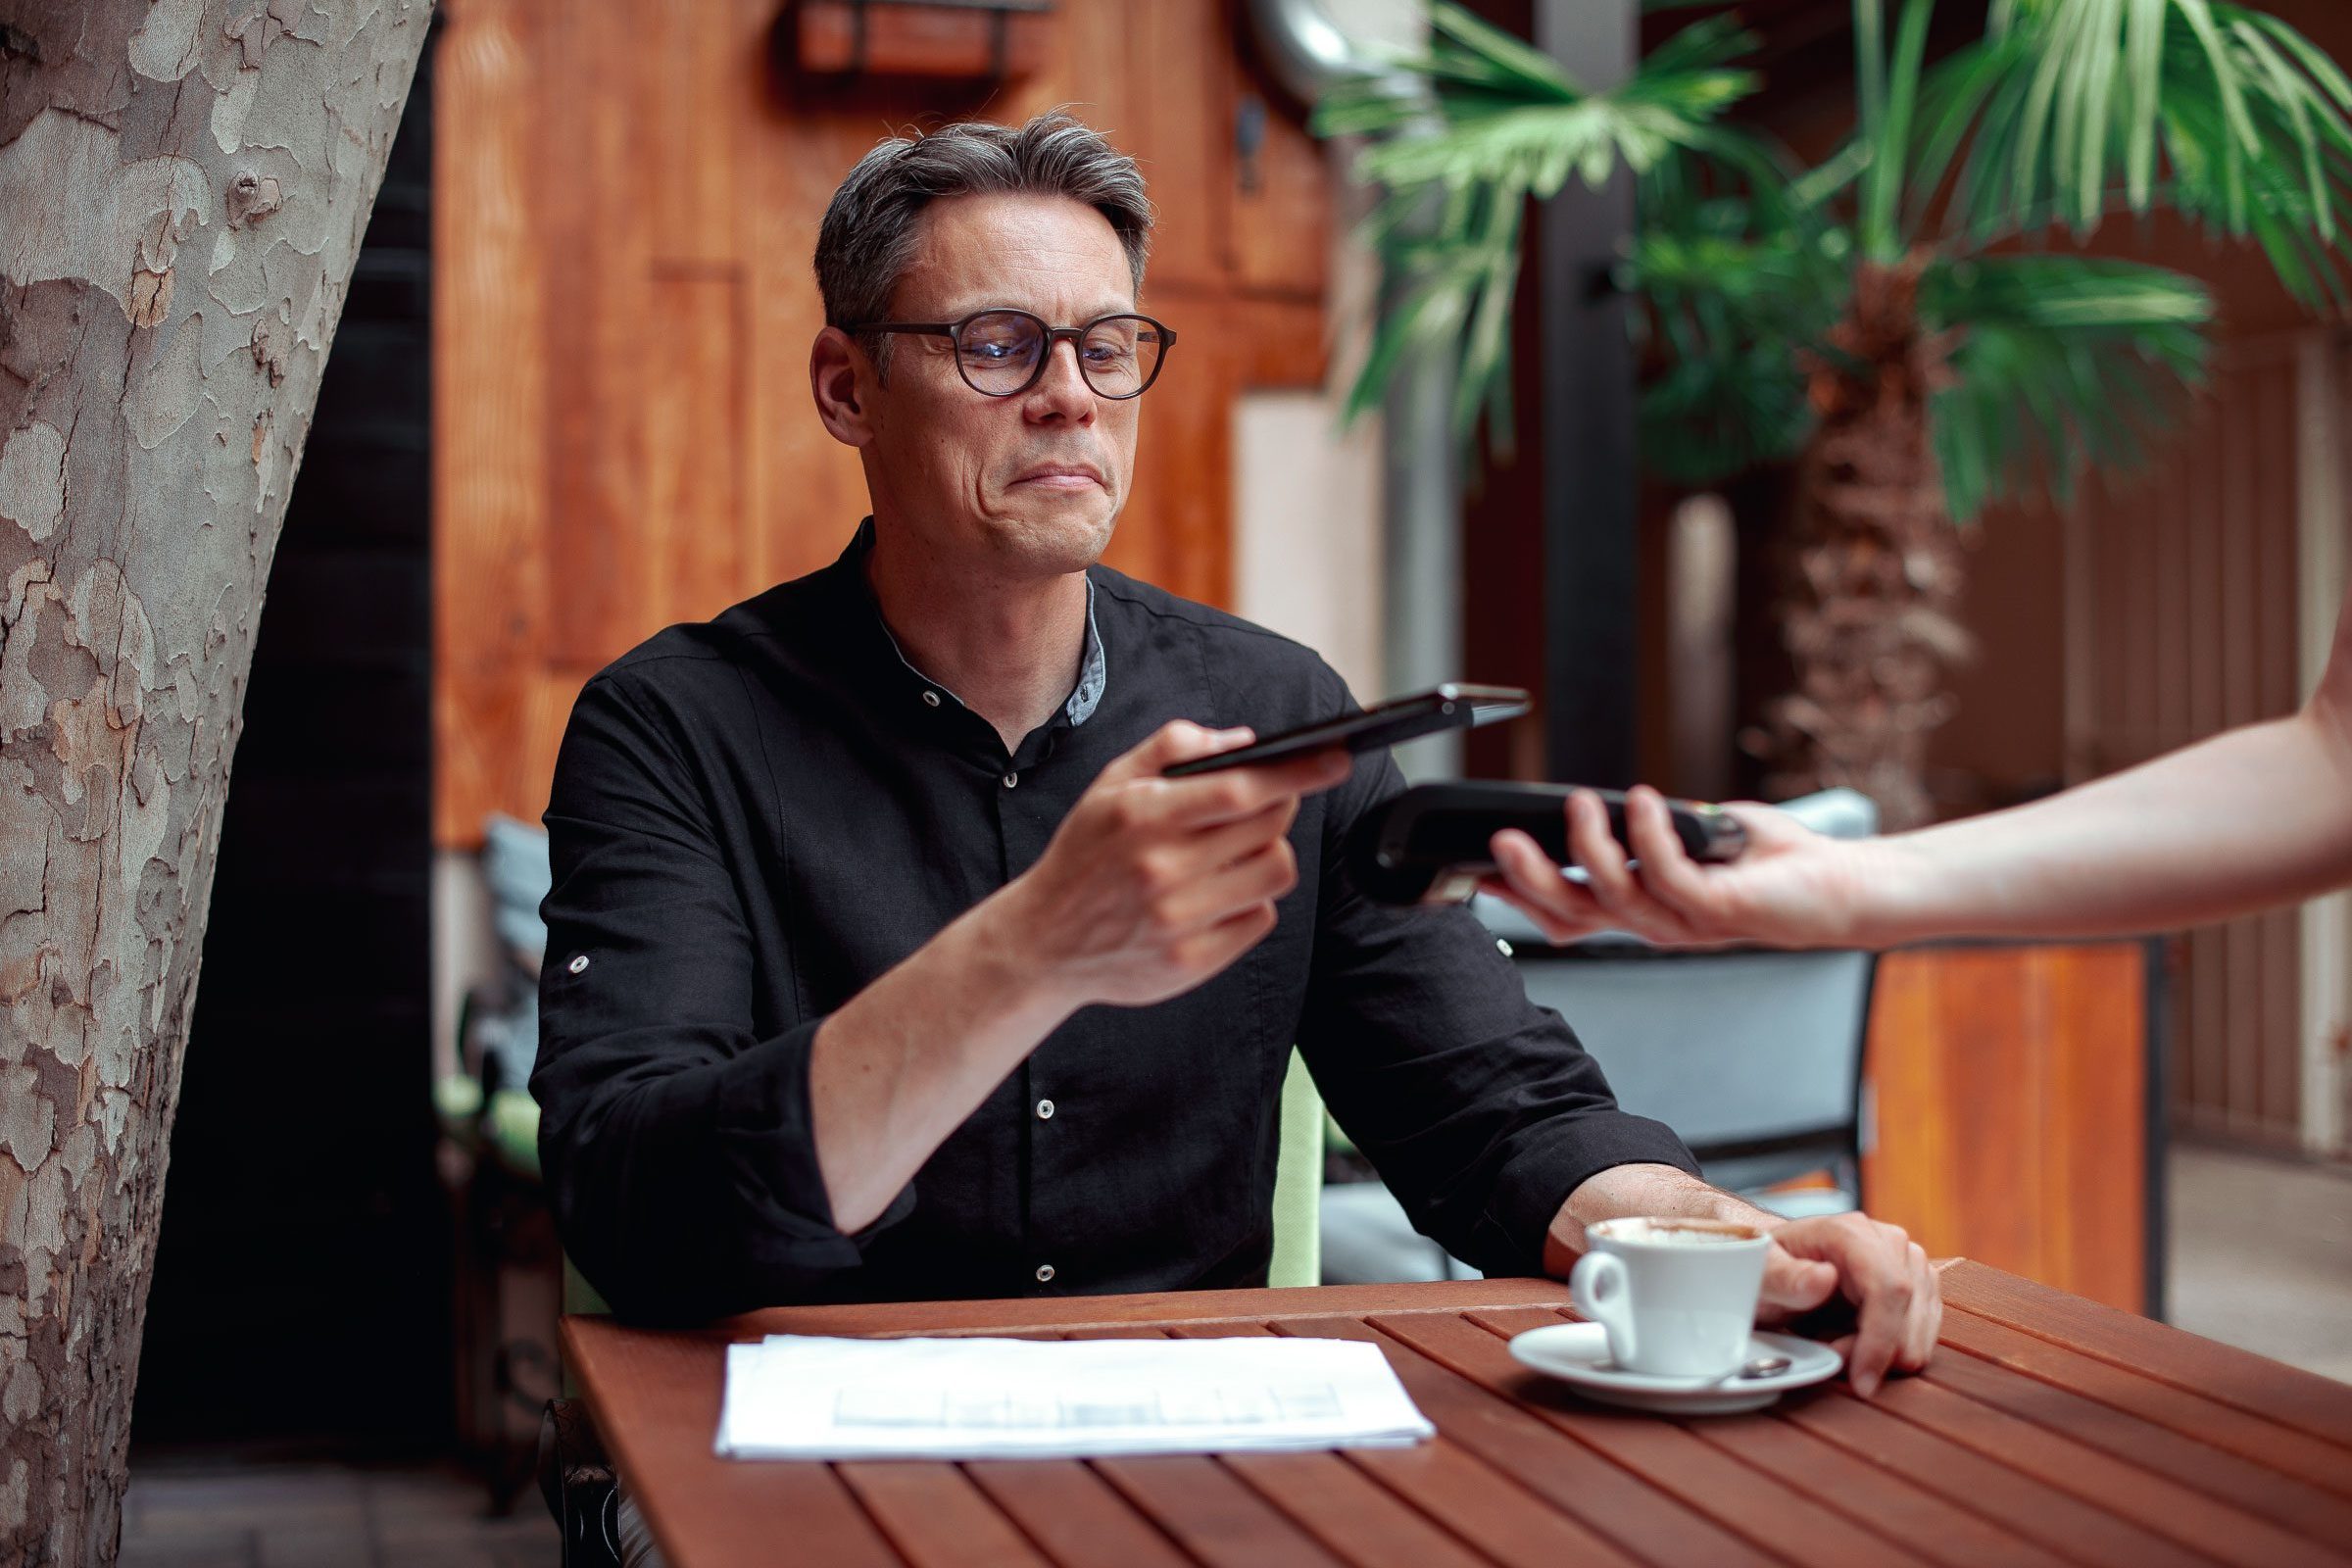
(2012, 1111)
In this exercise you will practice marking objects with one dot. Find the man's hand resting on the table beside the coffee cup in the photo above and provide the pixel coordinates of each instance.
(1862, 1266)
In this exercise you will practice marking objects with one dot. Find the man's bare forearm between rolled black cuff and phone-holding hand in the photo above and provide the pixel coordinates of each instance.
(904, 1061)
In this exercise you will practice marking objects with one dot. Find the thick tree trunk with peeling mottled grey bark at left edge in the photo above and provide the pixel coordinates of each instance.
(182, 196)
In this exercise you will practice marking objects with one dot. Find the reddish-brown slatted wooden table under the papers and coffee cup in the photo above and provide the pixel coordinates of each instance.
(2050, 1430)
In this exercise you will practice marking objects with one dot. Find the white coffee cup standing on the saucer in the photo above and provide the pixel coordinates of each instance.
(1676, 1296)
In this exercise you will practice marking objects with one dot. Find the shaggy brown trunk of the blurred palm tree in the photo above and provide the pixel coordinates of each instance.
(1876, 568)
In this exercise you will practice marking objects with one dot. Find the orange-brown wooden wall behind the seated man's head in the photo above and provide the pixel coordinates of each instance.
(624, 302)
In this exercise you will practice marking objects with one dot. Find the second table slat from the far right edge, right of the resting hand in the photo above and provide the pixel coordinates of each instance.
(2158, 1402)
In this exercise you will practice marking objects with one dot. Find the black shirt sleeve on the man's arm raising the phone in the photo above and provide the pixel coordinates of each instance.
(676, 1137)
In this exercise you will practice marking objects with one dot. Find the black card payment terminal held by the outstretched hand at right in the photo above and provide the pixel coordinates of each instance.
(1434, 843)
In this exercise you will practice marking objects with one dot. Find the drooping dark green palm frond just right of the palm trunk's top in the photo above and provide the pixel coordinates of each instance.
(2062, 361)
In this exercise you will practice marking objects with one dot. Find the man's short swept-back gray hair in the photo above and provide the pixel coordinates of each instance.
(869, 232)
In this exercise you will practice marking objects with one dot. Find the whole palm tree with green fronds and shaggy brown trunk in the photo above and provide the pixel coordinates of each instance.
(1913, 321)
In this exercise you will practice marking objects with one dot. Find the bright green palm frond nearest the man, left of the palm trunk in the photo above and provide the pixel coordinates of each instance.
(1502, 126)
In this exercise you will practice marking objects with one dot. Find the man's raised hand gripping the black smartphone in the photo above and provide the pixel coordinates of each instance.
(1154, 885)
